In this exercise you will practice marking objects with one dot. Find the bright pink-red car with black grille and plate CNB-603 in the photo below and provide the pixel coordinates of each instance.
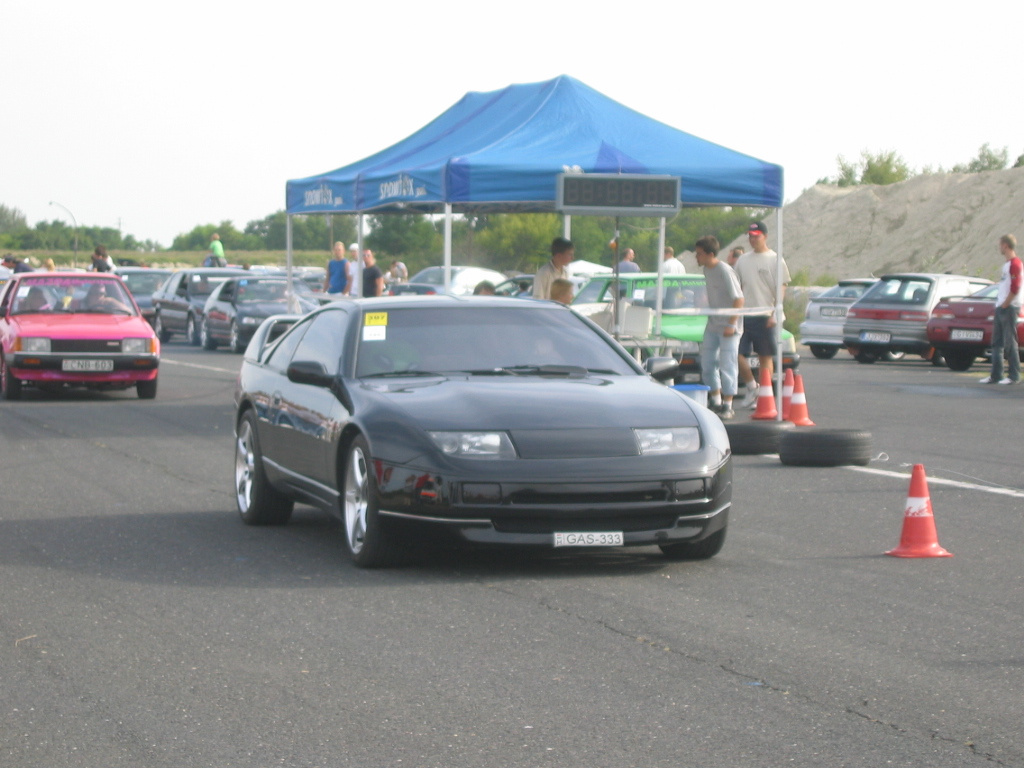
(74, 329)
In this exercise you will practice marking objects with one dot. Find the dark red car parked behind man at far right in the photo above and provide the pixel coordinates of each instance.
(962, 328)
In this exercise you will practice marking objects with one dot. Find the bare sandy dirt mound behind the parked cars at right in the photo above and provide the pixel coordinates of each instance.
(942, 223)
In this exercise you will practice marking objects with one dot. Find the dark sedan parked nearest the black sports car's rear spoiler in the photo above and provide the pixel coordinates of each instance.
(239, 306)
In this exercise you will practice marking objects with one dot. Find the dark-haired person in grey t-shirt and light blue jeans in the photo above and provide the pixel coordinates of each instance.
(720, 348)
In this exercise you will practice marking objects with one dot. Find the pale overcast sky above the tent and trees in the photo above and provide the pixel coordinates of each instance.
(161, 117)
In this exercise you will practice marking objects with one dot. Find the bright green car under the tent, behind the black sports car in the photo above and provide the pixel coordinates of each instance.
(680, 292)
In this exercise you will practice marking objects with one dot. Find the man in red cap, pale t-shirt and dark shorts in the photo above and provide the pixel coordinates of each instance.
(758, 271)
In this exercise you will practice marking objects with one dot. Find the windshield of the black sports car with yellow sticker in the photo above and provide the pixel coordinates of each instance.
(483, 340)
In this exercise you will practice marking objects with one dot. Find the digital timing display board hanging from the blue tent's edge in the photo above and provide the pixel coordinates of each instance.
(617, 194)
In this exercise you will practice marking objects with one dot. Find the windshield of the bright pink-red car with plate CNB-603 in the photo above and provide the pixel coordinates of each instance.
(72, 294)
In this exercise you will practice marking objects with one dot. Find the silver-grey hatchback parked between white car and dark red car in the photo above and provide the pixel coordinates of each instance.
(892, 315)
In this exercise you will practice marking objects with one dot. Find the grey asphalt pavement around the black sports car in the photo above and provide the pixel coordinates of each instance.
(142, 625)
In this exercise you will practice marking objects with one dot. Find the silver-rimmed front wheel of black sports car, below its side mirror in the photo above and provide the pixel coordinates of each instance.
(371, 543)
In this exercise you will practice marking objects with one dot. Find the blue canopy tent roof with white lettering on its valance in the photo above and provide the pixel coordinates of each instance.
(503, 150)
